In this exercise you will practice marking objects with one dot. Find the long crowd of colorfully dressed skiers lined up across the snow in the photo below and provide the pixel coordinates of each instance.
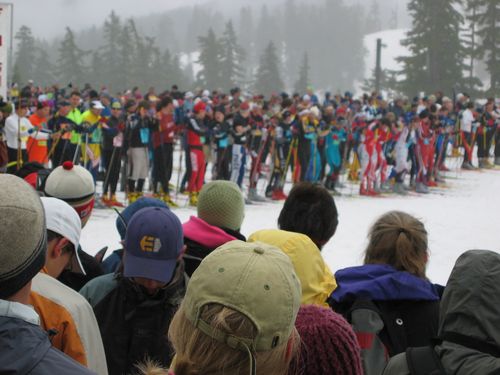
(129, 138)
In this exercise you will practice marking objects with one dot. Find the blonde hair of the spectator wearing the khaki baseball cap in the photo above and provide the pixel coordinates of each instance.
(197, 353)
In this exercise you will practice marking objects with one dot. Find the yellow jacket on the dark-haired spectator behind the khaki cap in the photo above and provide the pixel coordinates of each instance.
(317, 280)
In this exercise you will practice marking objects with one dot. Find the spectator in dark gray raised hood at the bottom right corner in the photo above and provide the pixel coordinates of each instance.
(468, 322)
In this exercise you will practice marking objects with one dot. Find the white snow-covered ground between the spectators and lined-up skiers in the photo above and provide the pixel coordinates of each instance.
(464, 215)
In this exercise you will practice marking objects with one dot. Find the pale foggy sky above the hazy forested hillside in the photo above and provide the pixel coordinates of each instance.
(48, 18)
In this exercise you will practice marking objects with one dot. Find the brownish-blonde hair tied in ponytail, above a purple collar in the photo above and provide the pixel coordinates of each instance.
(399, 240)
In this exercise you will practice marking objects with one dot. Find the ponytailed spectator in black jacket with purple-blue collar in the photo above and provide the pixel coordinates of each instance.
(389, 301)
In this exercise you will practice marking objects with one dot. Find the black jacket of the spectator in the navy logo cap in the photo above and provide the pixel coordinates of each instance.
(134, 325)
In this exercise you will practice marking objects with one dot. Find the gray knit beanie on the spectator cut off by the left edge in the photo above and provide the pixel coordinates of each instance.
(23, 235)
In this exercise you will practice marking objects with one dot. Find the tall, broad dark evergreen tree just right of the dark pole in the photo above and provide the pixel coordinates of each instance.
(436, 60)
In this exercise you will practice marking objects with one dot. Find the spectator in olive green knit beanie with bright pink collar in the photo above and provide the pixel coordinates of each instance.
(221, 209)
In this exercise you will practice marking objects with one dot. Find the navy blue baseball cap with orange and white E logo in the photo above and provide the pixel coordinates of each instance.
(153, 242)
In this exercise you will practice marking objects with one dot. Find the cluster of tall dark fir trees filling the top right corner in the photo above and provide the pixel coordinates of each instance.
(447, 40)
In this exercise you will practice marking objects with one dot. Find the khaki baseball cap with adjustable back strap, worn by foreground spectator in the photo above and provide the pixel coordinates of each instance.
(255, 279)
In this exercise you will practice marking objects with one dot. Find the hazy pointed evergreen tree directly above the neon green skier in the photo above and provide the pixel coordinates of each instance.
(70, 63)
